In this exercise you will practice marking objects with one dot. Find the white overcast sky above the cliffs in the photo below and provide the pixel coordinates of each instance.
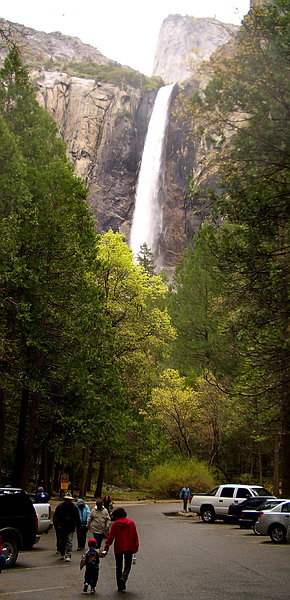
(123, 30)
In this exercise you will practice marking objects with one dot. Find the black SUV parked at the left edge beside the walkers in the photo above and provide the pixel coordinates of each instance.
(18, 523)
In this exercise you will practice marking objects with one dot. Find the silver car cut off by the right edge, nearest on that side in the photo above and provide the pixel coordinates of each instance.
(274, 522)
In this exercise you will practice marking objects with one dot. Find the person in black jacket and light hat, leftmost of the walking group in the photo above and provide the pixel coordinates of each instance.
(65, 519)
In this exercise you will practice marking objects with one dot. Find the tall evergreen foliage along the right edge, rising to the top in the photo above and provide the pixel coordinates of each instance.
(245, 108)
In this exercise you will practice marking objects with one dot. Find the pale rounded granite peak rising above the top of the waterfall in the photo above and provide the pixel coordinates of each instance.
(184, 43)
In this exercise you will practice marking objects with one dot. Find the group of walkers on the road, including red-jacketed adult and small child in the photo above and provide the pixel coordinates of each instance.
(115, 527)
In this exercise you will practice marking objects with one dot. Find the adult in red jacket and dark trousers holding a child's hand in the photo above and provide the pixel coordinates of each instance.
(124, 534)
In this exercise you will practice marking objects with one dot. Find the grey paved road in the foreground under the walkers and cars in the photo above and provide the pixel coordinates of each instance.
(180, 557)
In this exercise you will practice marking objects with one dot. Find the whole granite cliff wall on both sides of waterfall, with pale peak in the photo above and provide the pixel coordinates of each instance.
(105, 125)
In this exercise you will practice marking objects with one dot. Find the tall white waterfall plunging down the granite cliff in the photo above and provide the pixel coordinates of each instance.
(148, 214)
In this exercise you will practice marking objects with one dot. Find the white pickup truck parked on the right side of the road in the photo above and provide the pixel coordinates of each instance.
(214, 504)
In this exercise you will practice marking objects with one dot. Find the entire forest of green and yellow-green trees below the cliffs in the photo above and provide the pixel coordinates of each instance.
(98, 348)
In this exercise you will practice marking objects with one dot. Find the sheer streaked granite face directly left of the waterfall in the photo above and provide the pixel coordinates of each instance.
(104, 128)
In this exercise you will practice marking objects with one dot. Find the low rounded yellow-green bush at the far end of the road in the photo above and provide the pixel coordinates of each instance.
(166, 480)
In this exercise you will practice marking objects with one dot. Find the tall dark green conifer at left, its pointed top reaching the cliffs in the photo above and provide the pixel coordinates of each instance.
(45, 286)
